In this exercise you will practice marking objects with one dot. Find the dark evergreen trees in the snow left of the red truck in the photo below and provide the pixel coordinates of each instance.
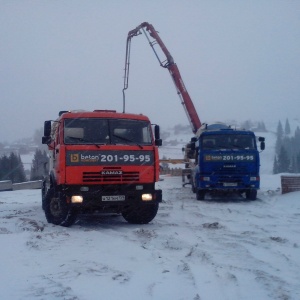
(12, 168)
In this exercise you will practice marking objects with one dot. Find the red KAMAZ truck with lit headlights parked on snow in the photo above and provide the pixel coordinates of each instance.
(101, 161)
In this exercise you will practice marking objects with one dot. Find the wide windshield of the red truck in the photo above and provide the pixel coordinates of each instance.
(107, 131)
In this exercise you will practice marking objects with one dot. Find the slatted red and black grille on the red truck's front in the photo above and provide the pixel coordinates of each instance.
(97, 177)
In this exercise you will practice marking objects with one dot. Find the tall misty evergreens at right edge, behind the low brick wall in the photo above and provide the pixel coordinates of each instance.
(287, 149)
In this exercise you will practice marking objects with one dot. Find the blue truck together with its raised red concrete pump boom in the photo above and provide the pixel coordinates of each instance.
(218, 158)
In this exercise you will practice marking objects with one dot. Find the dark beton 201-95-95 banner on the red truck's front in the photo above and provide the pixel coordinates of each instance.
(81, 158)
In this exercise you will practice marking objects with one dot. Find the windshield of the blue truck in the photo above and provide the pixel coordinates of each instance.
(222, 141)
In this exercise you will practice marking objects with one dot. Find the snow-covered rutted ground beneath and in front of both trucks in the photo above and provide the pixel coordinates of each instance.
(214, 249)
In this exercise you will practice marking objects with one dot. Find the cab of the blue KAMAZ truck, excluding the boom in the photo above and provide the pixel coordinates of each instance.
(226, 160)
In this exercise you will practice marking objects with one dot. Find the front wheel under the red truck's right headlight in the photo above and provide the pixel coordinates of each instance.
(140, 214)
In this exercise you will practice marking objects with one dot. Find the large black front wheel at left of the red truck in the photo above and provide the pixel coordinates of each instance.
(57, 210)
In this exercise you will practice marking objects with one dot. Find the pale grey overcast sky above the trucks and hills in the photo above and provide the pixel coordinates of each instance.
(239, 60)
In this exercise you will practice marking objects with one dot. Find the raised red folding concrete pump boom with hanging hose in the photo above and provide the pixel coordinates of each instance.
(169, 63)
